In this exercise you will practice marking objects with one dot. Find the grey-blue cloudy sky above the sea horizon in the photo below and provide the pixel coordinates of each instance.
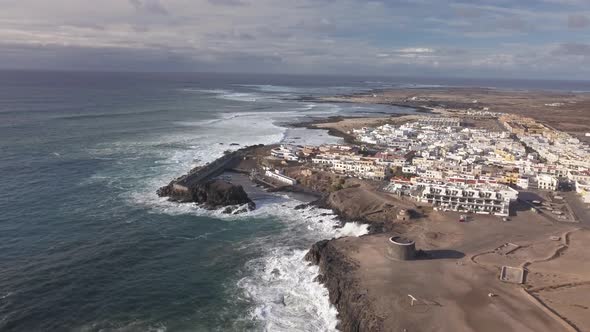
(516, 38)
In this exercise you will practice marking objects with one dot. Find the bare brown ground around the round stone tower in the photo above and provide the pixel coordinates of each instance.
(456, 286)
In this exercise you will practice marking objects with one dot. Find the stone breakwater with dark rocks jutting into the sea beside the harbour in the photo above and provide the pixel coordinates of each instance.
(198, 186)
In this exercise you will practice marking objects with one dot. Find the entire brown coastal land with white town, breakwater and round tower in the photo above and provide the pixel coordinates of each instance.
(506, 255)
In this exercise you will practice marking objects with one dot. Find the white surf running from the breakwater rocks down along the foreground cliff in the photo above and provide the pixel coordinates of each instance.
(279, 284)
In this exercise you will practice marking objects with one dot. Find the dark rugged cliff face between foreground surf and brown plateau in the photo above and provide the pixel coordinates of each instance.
(355, 313)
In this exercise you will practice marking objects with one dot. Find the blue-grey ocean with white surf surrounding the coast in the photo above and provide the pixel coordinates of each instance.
(86, 244)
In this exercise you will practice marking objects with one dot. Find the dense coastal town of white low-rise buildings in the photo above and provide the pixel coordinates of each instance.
(436, 160)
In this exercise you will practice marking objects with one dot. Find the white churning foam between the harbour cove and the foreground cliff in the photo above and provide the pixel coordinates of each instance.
(281, 284)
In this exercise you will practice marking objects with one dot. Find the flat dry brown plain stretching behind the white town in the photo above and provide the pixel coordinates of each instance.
(572, 115)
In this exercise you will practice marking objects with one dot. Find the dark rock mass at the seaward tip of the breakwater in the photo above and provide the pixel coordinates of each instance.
(211, 194)
